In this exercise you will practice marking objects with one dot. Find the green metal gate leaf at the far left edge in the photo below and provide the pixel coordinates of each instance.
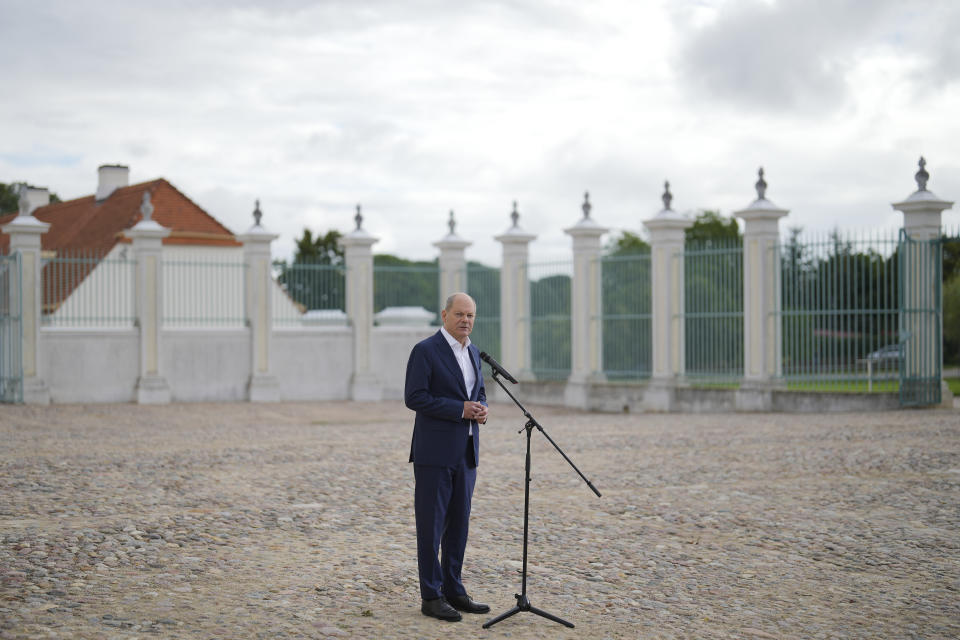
(11, 329)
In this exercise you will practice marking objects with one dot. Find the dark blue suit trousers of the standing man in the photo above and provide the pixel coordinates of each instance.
(442, 499)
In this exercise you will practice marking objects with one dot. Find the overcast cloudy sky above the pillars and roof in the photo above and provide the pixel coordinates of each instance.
(416, 107)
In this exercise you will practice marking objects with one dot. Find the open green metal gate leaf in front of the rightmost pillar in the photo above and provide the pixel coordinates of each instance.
(921, 343)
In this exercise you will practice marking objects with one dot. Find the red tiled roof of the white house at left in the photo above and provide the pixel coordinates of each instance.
(90, 226)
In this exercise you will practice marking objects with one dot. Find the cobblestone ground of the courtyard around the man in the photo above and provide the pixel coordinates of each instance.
(296, 521)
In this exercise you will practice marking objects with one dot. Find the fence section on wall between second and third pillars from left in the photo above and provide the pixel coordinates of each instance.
(202, 292)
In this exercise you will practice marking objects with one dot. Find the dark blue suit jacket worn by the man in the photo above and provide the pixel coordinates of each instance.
(435, 390)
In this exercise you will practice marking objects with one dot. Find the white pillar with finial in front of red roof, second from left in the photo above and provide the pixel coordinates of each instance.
(147, 236)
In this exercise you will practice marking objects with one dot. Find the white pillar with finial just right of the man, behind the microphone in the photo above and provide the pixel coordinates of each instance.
(515, 300)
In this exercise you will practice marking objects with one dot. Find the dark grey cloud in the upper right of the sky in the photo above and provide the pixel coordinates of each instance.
(791, 55)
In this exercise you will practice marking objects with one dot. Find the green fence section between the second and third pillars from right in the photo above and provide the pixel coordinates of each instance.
(713, 312)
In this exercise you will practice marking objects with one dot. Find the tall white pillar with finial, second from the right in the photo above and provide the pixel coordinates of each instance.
(762, 339)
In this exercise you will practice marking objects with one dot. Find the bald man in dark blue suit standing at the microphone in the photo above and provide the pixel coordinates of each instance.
(444, 385)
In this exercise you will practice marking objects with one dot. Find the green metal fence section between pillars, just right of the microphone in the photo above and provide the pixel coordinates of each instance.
(550, 339)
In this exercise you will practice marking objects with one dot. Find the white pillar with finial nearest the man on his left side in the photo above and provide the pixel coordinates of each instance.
(358, 256)
